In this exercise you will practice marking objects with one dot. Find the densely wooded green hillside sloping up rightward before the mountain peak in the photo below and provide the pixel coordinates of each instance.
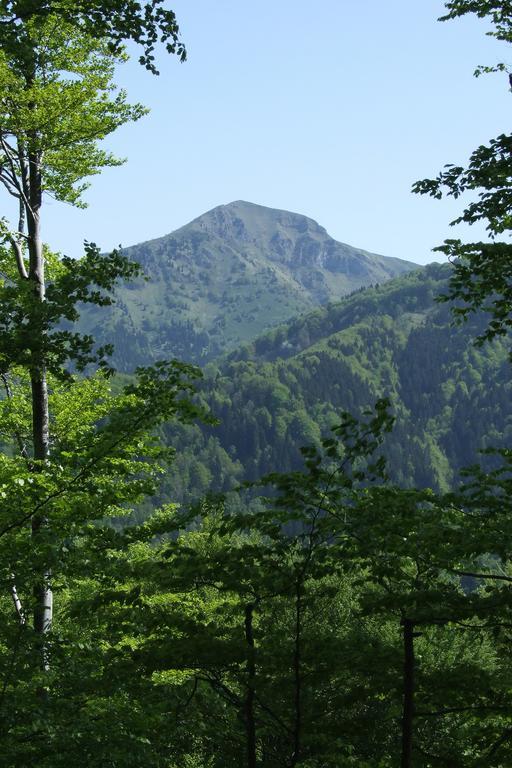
(289, 386)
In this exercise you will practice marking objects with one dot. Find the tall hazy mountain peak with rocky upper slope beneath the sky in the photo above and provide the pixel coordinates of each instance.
(225, 278)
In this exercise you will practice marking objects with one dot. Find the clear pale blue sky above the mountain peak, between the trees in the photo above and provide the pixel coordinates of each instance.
(331, 110)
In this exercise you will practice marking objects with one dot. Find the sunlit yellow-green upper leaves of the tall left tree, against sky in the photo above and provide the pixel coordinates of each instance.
(60, 107)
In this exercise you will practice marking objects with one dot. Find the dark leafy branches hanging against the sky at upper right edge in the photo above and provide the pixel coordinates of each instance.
(482, 271)
